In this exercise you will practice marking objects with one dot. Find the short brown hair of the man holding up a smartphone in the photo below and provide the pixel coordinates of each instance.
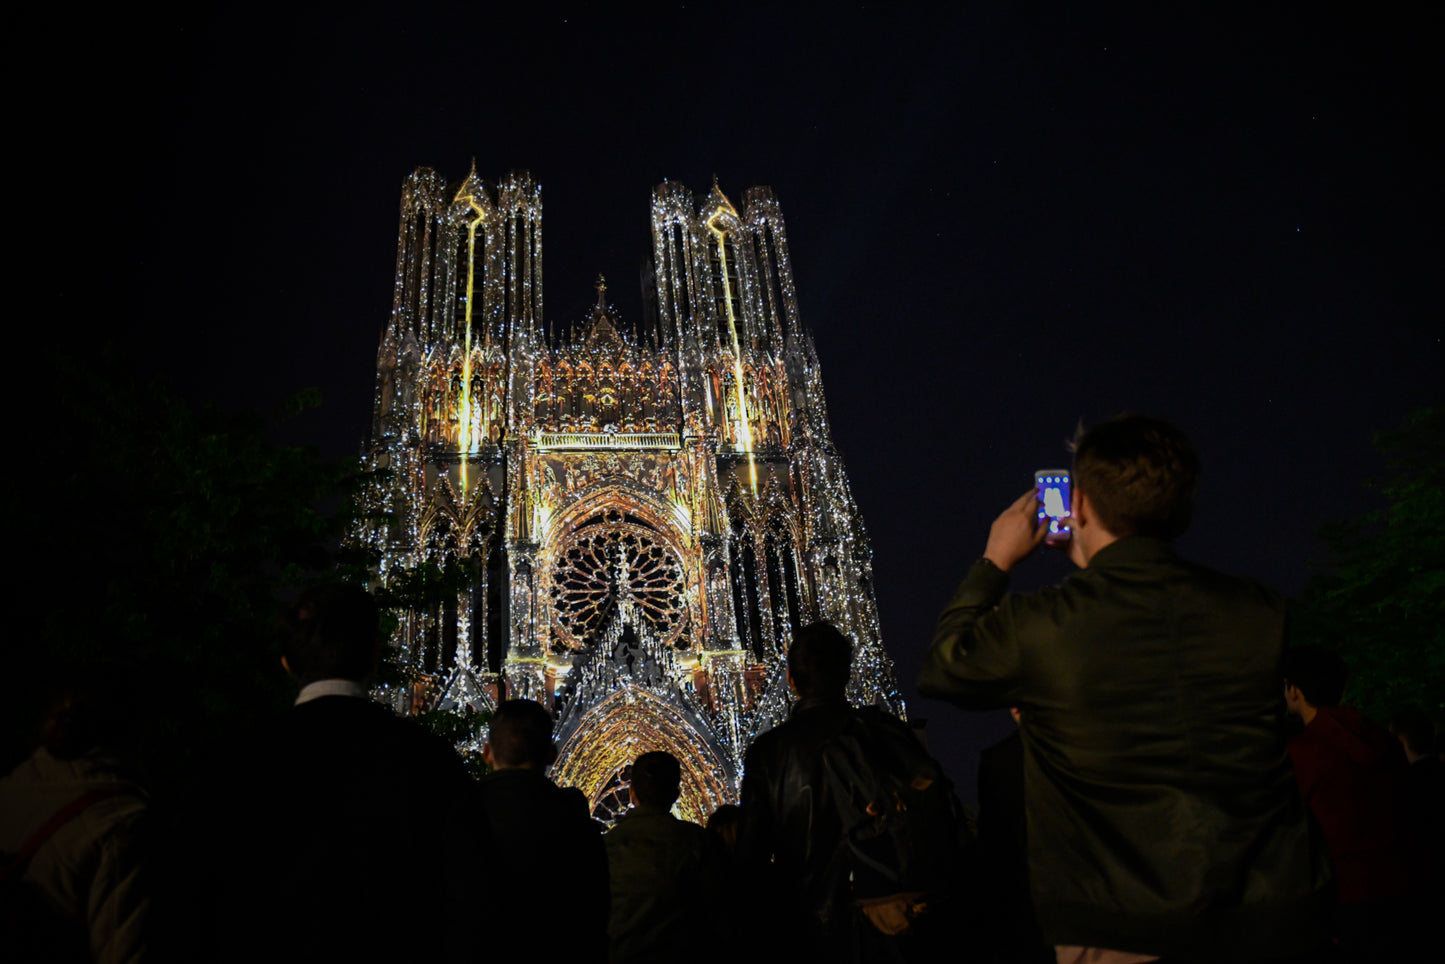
(1141, 476)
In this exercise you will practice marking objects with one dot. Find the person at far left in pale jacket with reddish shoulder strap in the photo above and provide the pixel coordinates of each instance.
(73, 864)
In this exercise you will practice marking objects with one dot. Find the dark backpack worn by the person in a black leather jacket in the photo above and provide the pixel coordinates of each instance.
(902, 826)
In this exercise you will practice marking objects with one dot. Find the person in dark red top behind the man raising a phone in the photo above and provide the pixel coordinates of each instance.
(1352, 774)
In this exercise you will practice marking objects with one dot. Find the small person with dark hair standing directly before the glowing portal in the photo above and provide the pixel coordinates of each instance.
(665, 875)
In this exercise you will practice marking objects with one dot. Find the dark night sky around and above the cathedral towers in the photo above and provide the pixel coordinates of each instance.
(1001, 220)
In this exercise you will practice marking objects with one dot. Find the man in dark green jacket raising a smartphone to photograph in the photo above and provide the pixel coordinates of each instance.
(1164, 820)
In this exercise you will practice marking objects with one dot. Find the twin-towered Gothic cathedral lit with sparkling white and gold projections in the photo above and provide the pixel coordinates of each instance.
(648, 511)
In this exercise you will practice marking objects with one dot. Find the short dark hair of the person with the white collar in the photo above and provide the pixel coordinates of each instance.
(333, 634)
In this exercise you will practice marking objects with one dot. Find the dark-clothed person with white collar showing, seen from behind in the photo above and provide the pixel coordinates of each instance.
(342, 832)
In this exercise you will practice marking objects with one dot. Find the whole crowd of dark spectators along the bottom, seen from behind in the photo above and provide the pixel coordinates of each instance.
(1180, 788)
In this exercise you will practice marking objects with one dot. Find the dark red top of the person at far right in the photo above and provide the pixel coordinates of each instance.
(1352, 775)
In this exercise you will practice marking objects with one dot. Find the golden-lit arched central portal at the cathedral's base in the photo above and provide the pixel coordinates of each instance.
(626, 725)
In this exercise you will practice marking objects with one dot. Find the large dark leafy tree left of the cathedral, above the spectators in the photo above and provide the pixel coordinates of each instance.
(165, 538)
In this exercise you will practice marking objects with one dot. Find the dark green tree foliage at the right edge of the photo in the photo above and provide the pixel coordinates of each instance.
(1381, 599)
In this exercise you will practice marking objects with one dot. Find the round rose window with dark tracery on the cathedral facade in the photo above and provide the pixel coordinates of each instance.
(598, 561)
